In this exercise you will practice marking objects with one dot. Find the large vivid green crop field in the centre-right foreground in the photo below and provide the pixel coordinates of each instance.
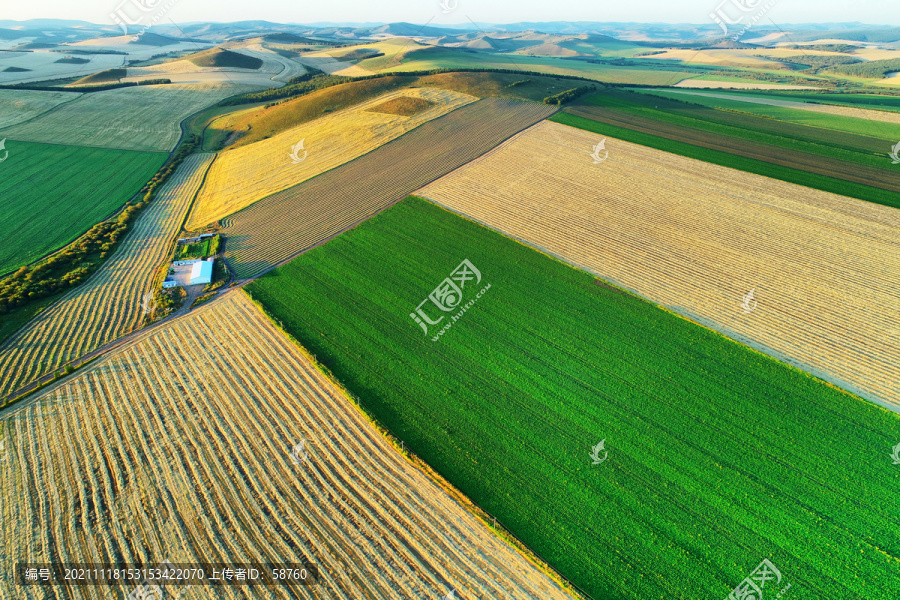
(718, 456)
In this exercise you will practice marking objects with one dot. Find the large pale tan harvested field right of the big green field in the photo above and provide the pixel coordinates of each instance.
(696, 238)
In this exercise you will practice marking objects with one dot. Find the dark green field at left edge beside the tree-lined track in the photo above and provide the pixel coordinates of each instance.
(50, 195)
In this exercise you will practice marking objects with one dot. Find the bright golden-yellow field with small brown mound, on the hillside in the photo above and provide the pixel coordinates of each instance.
(243, 175)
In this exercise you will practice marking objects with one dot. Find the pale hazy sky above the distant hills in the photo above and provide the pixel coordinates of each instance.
(876, 12)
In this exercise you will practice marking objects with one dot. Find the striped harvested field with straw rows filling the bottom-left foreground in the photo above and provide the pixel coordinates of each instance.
(178, 447)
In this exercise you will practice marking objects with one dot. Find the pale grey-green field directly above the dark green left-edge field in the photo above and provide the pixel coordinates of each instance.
(132, 118)
